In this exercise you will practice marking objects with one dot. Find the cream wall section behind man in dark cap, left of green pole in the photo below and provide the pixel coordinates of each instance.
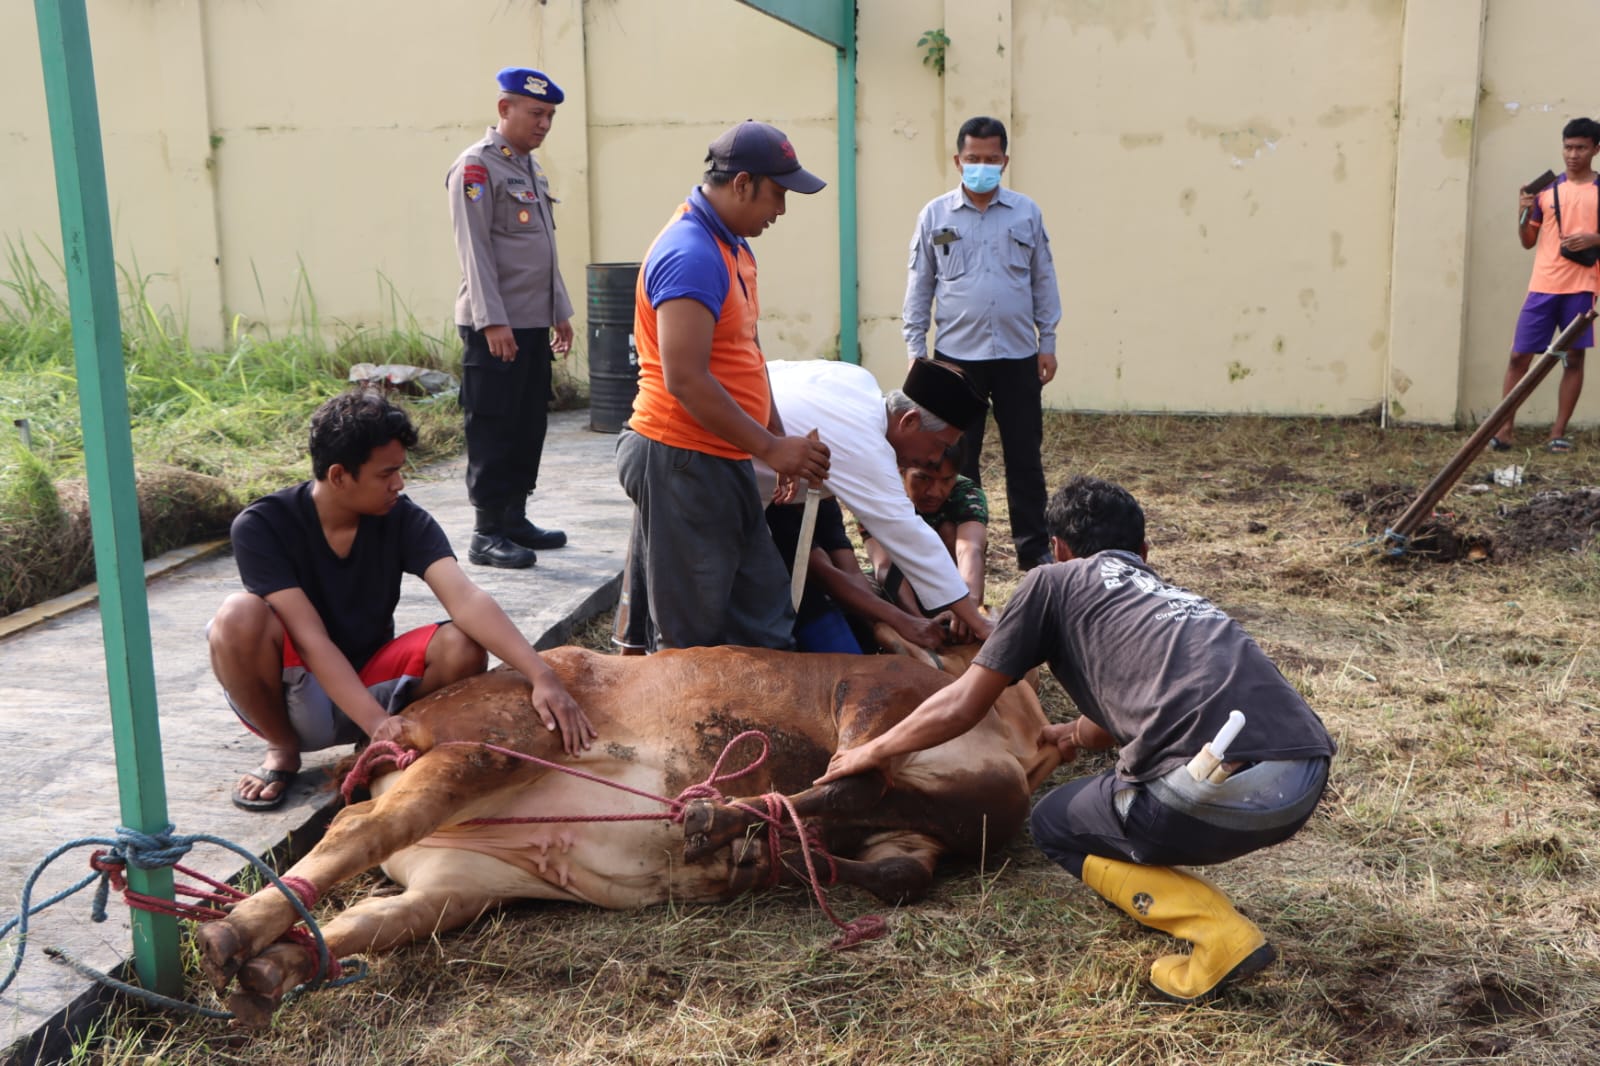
(662, 94)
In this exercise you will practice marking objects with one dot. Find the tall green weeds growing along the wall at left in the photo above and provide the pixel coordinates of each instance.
(236, 415)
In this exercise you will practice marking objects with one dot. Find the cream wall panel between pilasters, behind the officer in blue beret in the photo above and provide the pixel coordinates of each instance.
(334, 134)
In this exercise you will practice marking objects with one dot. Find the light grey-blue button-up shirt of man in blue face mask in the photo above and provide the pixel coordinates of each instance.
(986, 276)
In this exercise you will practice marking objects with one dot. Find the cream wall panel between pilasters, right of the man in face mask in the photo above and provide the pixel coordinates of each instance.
(1218, 183)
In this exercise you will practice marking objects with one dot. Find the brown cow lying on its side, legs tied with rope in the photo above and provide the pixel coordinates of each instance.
(663, 721)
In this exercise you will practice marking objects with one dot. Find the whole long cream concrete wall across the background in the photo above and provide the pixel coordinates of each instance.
(1257, 206)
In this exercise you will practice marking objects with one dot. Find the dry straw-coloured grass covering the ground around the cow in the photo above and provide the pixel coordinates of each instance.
(1441, 908)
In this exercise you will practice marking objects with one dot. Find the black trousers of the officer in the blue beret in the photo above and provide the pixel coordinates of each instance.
(508, 412)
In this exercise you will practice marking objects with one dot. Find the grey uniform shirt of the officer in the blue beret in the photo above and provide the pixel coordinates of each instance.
(500, 207)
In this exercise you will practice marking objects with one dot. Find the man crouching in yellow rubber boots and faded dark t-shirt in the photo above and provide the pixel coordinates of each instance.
(1154, 670)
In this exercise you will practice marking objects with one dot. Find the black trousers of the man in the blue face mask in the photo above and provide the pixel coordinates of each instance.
(1012, 388)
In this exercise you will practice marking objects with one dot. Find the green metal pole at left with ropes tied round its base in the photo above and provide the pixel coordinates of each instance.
(108, 454)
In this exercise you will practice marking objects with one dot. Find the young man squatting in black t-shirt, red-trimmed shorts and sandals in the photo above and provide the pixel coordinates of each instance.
(308, 654)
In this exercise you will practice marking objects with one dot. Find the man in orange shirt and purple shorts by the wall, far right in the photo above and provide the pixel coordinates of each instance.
(1564, 223)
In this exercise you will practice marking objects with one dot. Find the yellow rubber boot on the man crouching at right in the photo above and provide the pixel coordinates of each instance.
(1228, 947)
